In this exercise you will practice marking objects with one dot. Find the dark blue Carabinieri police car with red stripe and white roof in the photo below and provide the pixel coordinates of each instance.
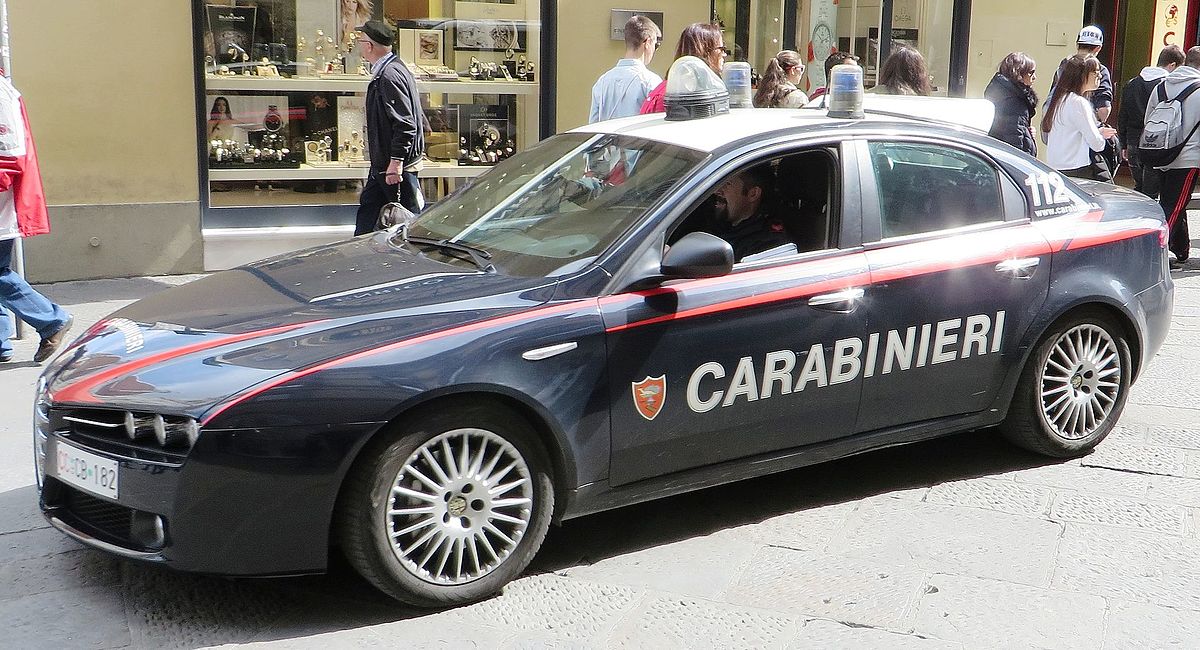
(573, 333)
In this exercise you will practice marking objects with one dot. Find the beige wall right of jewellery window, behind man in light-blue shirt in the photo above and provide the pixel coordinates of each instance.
(586, 51)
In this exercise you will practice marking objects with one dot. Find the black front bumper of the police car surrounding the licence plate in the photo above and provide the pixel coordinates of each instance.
(243, 503)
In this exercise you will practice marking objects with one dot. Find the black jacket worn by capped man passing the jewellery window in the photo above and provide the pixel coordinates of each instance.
(394, 118)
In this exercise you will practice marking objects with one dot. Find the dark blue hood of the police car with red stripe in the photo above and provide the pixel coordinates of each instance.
(187, 350)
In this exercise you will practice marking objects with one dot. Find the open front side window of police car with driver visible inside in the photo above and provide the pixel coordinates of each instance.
(772, 208)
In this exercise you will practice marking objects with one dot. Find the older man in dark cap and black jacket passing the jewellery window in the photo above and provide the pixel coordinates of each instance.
(395, 136)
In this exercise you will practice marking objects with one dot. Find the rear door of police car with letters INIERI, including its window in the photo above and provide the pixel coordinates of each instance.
(957, 270)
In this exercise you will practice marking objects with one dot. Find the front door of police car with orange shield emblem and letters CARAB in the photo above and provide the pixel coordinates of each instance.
(760, 360)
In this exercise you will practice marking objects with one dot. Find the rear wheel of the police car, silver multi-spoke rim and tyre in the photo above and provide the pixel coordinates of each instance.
(1073, 389)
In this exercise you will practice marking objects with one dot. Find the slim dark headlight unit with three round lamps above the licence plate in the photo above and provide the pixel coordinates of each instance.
(142, 436)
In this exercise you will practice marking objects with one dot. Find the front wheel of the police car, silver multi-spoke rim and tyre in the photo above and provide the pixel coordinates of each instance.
(449, 508)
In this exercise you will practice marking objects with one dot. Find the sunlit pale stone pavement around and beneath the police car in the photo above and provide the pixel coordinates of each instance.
(962, 543)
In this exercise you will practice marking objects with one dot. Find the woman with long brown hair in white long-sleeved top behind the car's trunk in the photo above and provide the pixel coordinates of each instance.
(1070, 123)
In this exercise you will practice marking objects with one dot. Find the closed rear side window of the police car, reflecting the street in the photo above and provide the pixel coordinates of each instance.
(926, 188)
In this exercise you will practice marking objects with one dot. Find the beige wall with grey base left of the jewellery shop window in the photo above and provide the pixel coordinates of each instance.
(112, 105)
